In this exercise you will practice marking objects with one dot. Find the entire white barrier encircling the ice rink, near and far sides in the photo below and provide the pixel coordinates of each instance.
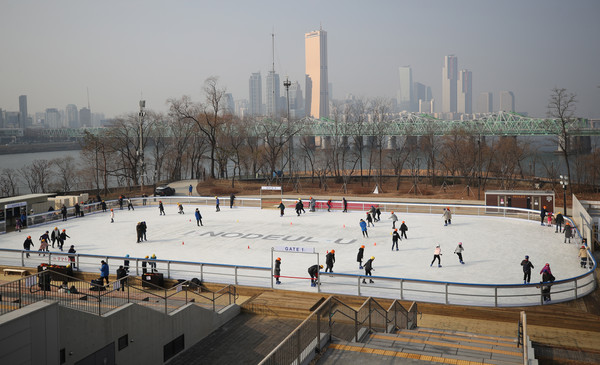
(405, 289)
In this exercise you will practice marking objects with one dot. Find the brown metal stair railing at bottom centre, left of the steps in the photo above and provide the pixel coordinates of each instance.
(334, 318)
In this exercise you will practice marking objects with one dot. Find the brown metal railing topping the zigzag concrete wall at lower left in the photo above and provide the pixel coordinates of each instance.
(97, 299)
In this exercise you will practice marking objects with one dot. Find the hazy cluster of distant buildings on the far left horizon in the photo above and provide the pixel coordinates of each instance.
(69, 117)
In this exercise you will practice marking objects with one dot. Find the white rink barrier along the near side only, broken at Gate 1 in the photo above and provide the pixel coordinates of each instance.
(456, 293)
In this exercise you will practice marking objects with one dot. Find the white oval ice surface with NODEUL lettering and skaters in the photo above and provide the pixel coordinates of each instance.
(493, 246)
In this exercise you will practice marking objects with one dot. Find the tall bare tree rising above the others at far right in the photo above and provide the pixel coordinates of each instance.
(561, 106)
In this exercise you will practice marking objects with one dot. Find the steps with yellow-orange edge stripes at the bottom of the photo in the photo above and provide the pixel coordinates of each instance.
(425, 346)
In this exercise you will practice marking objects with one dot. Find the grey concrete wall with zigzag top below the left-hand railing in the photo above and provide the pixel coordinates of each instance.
(36, 334)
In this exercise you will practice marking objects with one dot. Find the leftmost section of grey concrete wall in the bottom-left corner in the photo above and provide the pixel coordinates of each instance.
(30, 335)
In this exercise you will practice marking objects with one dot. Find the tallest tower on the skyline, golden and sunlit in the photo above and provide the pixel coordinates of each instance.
(317, 82)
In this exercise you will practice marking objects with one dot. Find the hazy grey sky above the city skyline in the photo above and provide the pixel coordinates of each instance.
(52, 51)
